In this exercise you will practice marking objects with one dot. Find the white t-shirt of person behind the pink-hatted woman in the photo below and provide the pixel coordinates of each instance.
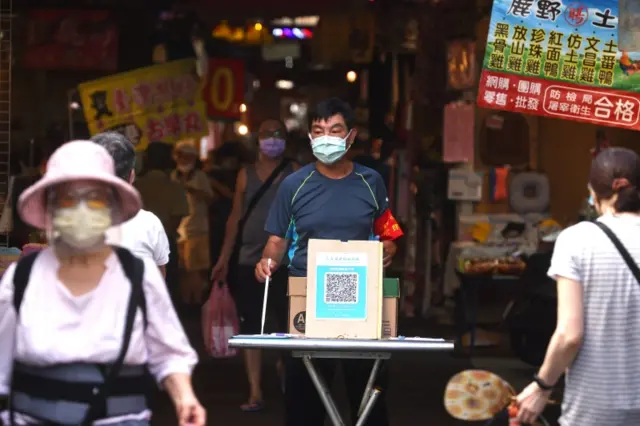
(144, 235)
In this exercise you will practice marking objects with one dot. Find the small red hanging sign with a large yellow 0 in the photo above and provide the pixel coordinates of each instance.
(224, 89)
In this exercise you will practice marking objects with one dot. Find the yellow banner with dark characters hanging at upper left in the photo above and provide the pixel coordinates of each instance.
(157, 103)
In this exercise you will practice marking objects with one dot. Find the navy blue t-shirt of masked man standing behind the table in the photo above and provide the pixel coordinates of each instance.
(311, 205)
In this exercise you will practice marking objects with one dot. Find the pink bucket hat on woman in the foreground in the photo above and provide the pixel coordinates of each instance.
(74, 161)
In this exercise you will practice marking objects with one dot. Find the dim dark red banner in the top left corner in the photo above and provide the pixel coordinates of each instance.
(71, 40)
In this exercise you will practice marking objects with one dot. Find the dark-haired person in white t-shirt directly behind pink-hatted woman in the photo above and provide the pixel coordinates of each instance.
(144, 234)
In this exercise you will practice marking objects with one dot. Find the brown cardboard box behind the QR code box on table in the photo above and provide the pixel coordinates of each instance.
(298, 306)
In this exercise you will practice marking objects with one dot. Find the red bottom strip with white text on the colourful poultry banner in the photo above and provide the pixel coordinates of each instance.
(504, 91)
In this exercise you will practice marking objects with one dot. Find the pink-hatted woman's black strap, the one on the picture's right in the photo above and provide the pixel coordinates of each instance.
(134, 269)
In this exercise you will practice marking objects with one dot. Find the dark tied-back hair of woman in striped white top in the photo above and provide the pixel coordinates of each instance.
(612, 164)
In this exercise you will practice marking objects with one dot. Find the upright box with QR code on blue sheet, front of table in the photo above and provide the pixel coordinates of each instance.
(344, 289)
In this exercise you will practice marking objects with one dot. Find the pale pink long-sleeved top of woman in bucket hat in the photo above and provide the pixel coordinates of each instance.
(56, 327)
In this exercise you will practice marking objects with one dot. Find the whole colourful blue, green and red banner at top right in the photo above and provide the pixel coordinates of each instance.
(560, 59)
